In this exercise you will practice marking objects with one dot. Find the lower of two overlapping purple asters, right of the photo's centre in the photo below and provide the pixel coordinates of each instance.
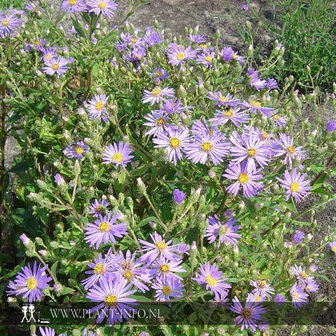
(245, 179)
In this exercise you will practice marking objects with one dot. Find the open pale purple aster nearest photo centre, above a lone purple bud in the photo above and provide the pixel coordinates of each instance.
(174, 140)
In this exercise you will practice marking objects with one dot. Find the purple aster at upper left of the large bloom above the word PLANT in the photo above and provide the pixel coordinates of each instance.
(100, 268)
